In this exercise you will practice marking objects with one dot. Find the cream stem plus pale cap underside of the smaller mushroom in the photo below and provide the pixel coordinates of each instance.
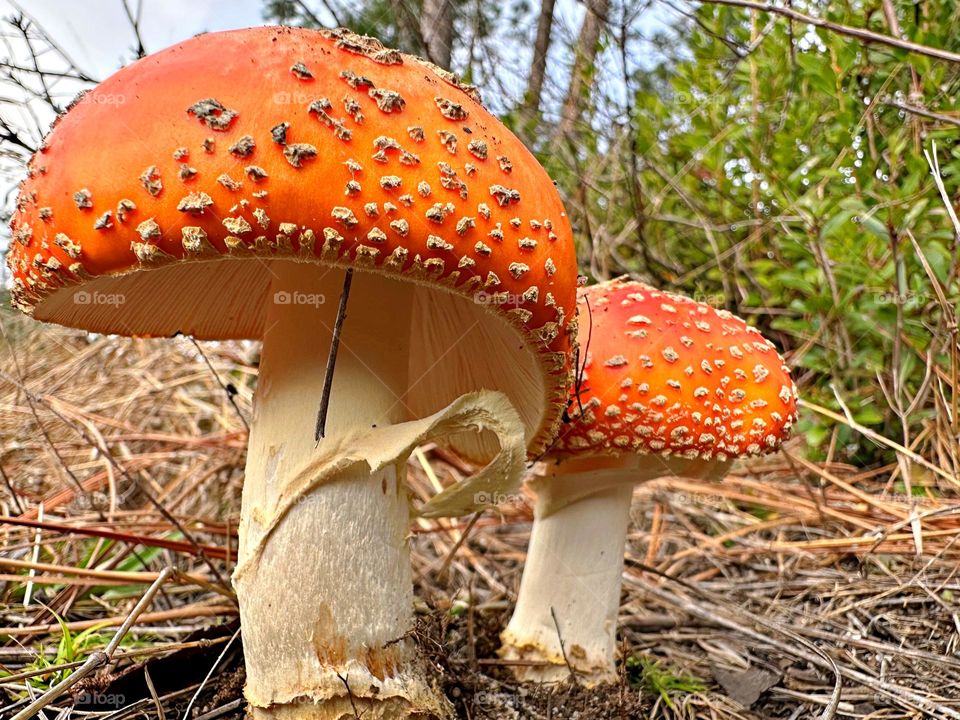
(569, 599)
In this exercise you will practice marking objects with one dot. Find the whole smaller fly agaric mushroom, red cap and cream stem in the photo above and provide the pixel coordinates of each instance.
(671, 387)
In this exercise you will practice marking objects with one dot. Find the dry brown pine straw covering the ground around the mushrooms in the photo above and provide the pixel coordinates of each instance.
(791, 590)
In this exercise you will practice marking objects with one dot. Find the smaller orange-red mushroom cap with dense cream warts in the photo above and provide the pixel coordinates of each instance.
(666, 374)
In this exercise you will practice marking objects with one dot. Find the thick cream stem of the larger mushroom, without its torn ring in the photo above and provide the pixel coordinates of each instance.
(324, 582)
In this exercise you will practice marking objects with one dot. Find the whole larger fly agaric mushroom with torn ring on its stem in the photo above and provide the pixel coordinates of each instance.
(225, 188)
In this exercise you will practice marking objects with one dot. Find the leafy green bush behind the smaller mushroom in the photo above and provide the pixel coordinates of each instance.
(775, 173)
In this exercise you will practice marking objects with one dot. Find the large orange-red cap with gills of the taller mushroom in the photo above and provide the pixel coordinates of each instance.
(158, 199)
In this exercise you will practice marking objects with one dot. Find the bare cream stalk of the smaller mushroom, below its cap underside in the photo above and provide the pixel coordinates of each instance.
(574, 567)
